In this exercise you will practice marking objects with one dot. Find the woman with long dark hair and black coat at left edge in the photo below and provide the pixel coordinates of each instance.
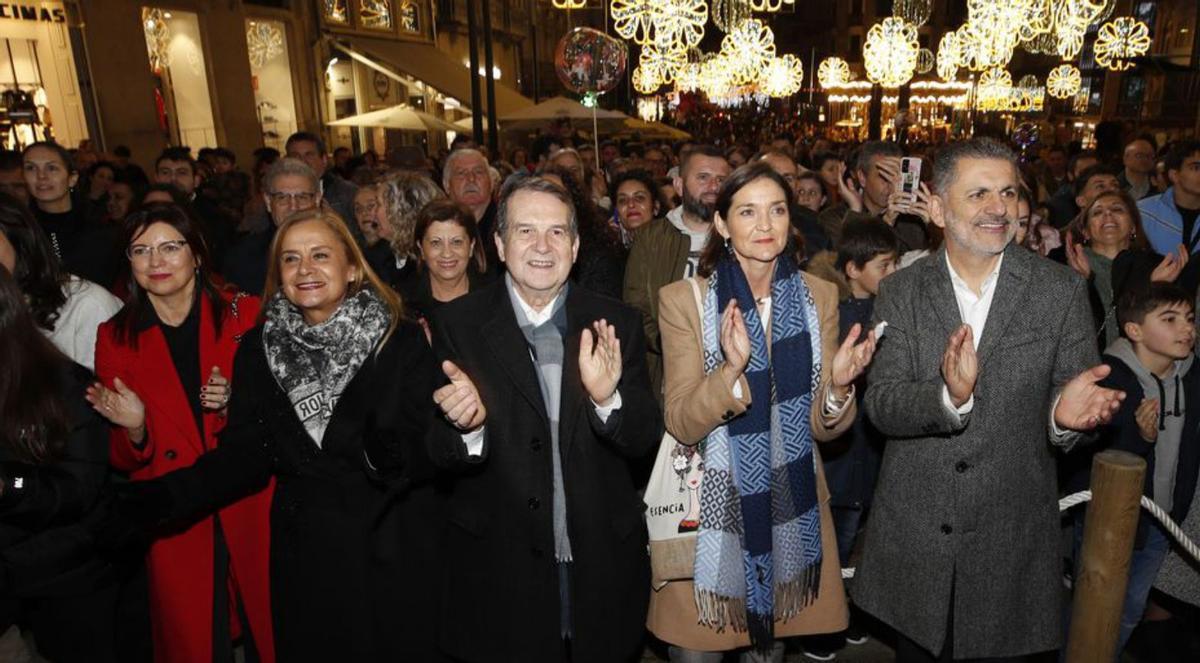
(53, 468)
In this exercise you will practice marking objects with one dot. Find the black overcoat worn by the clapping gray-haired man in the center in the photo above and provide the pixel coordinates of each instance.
(501, 594)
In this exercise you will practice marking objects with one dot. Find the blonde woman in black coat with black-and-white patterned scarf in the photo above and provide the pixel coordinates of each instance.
(333, 401)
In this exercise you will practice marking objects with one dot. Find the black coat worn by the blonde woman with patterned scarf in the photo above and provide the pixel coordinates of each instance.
(353, 553)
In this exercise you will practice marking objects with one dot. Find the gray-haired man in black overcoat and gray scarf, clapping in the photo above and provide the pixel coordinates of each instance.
(548, 402)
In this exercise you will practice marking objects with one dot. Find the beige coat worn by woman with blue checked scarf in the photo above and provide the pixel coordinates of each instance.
(695, 405)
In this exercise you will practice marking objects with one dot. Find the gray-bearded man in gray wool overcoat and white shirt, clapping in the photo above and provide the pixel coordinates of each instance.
(987, 367)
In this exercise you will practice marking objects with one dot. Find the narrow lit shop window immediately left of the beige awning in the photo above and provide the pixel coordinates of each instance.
(271, 76)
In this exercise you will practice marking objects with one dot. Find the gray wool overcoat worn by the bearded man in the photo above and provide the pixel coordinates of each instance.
(968, 510)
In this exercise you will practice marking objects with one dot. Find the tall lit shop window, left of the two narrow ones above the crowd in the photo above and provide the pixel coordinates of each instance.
(182, 82)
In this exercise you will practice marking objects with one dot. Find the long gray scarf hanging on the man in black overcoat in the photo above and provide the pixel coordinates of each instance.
(548, 350)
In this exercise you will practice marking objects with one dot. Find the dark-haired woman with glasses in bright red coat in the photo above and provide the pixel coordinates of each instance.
(166, 371)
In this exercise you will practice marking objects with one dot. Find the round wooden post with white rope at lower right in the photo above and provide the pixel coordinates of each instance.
(1105, 559)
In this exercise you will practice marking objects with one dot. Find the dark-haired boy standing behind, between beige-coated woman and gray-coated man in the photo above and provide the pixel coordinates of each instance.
(867, 254)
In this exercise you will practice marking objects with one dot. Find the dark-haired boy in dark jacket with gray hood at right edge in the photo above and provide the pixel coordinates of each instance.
(1153, 363)
